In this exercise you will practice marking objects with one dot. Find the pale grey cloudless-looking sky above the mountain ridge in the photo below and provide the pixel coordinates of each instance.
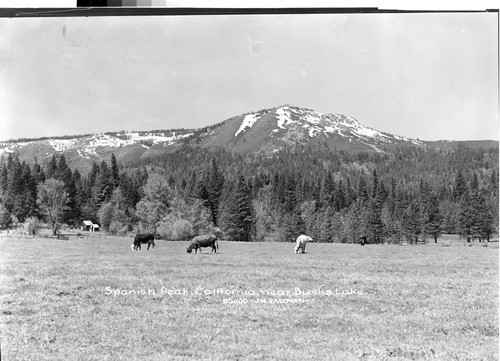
(428, 76)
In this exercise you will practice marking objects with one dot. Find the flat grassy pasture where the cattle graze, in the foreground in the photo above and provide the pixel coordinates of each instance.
(81, 299)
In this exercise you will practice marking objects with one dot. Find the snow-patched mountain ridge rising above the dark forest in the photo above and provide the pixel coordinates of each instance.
(267, 131)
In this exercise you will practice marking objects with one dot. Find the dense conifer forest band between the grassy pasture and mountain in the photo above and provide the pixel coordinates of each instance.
(410, 194)
